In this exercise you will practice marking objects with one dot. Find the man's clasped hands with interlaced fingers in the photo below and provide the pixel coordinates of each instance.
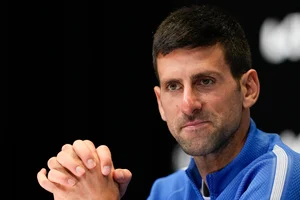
(80, 171)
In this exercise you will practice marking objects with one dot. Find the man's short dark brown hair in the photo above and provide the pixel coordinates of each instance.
(203, 25)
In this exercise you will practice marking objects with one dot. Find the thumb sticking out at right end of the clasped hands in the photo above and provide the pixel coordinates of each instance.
(123, 178)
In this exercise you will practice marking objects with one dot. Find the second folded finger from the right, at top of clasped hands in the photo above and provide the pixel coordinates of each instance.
(84, 153)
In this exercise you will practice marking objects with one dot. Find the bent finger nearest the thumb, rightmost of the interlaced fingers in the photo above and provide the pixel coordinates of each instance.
(104, 155)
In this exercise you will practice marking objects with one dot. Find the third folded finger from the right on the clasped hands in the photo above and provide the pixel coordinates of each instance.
(67, 160)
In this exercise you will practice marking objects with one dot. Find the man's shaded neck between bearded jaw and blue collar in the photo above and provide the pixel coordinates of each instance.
(215, 161)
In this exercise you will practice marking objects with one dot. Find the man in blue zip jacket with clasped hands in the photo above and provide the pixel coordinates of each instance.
(206, 88)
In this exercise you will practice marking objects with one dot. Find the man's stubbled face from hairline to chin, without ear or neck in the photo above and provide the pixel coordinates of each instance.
(198, 98)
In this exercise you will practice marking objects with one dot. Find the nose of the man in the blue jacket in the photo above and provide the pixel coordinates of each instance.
(190, 102)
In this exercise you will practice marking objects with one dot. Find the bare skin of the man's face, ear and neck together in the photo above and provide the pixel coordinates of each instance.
(207, 111)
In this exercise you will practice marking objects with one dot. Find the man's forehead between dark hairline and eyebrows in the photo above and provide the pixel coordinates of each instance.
(187, 62)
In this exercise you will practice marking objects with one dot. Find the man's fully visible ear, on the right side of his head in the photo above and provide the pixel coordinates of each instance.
(250, 88)
